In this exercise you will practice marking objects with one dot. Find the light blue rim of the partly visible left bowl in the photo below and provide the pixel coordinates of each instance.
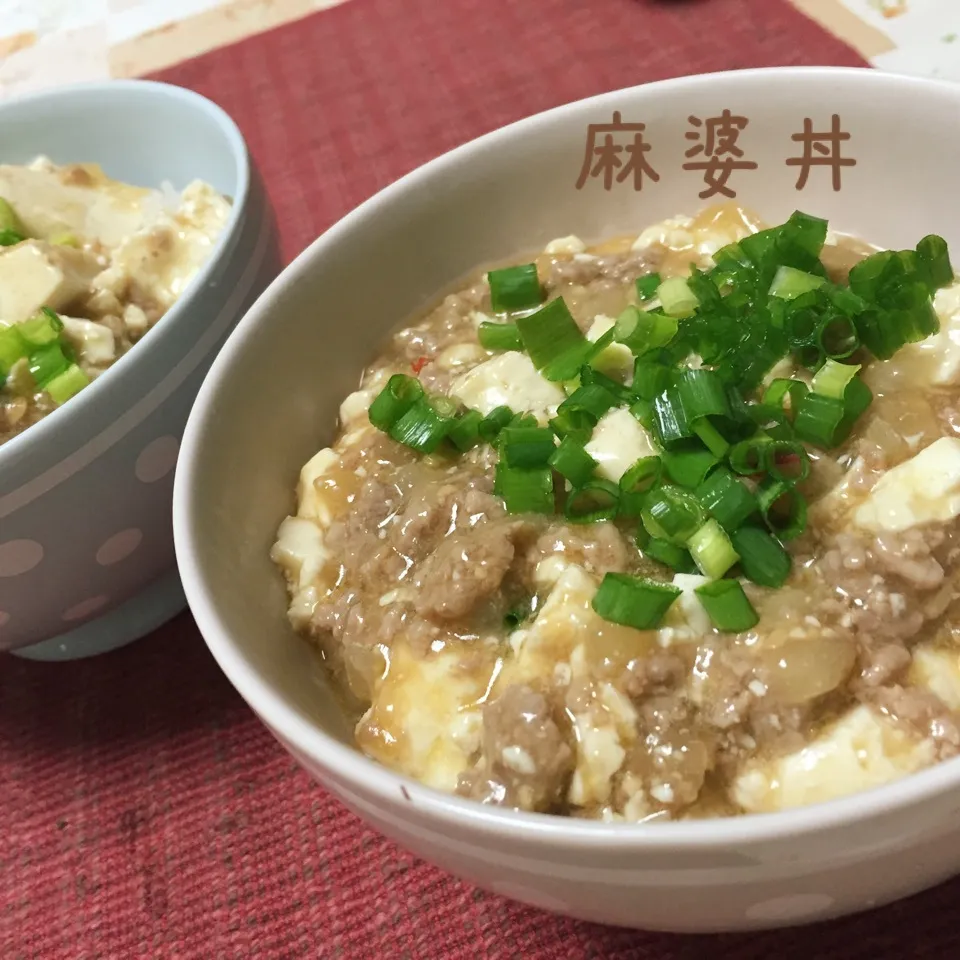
(68, 417)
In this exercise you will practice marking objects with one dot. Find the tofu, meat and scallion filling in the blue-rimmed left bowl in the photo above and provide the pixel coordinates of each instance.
(87, 266)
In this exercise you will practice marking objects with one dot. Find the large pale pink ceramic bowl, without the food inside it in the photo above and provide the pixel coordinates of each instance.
(507, 193)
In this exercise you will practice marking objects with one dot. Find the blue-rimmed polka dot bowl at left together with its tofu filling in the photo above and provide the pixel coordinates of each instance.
(124, 262)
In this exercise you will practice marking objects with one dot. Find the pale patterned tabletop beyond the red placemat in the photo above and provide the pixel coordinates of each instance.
(48, 42)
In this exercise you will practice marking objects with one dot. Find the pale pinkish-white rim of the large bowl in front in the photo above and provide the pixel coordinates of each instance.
(351, 769)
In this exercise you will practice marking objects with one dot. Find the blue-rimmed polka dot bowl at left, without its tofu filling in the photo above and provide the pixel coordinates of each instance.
(86, 545)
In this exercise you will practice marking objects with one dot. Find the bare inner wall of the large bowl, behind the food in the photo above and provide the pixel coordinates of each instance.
(272, 397)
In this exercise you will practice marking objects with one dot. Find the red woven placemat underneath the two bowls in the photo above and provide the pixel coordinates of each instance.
(145, 812)
